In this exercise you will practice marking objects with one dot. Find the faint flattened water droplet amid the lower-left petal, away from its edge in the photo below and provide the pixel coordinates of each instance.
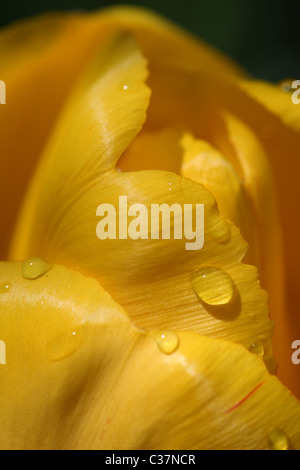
(64, 345)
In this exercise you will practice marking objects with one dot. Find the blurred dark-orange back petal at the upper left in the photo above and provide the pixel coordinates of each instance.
(39, 68)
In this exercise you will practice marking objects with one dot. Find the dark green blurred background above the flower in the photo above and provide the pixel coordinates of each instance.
(262, 36)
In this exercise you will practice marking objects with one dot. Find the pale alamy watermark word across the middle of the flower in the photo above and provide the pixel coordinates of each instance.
(145, 226)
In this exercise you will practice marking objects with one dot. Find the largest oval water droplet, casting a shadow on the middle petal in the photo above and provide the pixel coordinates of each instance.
(213, 286)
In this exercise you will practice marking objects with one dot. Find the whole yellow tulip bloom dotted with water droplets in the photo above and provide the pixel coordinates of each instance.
(137, 343)
